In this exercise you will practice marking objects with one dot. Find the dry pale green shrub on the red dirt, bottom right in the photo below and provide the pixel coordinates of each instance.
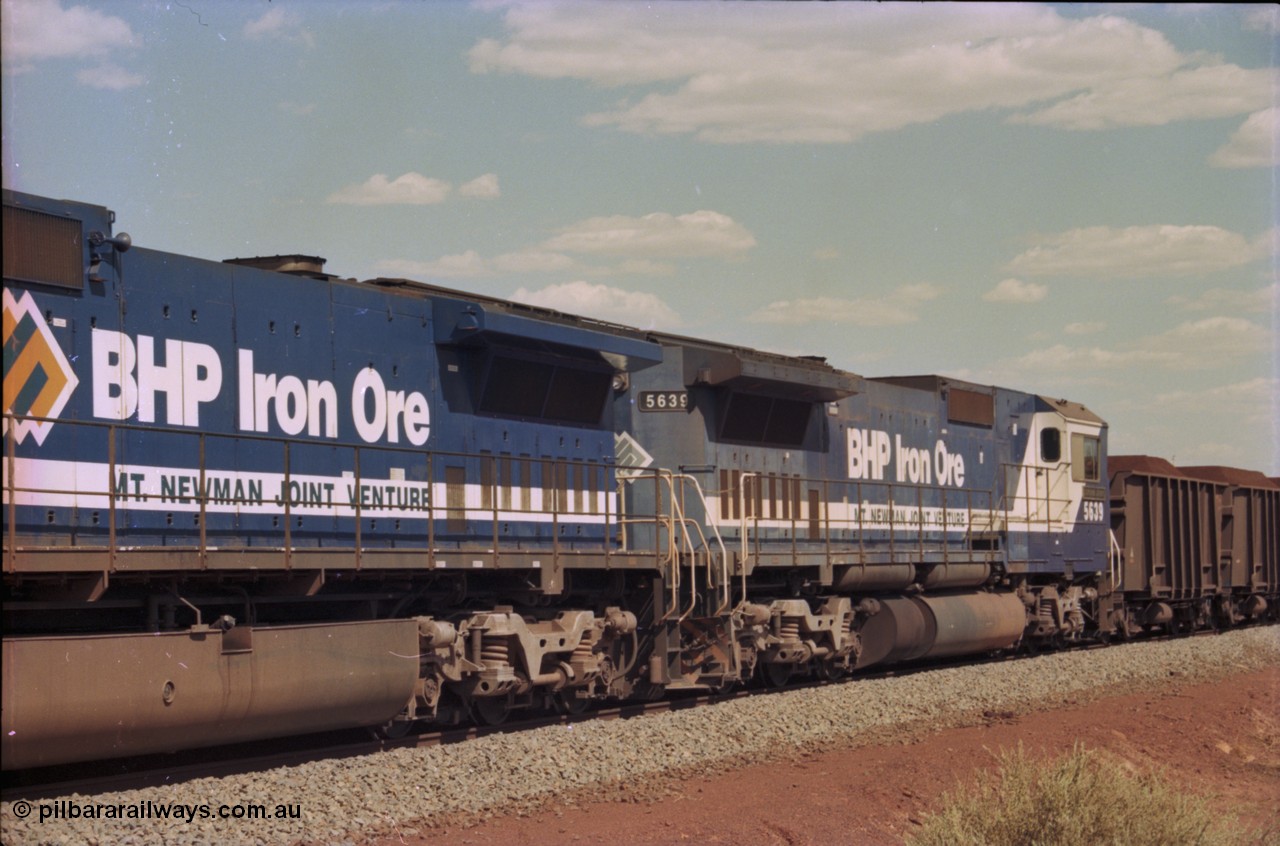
(1084, 798)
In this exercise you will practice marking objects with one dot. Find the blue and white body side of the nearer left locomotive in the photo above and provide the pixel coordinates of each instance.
(294, 388)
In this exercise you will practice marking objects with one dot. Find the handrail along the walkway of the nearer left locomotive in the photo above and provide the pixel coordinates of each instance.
(207, 493)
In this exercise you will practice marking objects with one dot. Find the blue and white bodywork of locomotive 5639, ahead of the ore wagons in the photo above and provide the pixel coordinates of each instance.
(921, 487)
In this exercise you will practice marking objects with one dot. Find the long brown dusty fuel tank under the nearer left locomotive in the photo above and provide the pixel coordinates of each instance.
(118, 696)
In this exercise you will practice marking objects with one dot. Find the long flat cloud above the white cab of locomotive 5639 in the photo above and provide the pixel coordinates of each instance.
(1105, 253)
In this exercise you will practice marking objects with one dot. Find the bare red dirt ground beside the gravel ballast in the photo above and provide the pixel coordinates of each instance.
(1222, 740)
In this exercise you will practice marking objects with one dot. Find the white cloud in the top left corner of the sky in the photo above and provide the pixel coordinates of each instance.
(39, 30)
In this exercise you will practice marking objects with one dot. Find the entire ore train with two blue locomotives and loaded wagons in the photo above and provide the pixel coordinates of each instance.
(248, 500)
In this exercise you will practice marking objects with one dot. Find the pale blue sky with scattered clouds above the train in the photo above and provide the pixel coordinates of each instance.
(1075, 200)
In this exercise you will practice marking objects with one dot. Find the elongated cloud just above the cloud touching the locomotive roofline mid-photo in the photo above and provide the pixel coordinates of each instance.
(660, 235)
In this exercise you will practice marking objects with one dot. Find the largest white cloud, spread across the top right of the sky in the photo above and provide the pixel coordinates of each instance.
(834, 74)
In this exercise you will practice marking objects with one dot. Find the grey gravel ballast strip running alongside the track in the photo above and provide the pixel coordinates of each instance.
(341, 802)
